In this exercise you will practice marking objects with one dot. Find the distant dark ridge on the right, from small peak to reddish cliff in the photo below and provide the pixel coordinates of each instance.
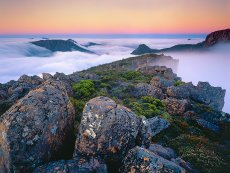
(221, 36)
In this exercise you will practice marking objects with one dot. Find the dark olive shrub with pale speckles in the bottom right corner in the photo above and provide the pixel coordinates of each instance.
(200, 152)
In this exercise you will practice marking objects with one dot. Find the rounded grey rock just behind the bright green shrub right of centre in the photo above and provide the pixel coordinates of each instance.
(144, 89)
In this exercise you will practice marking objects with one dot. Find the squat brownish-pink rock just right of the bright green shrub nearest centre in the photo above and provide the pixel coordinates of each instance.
(176, 106)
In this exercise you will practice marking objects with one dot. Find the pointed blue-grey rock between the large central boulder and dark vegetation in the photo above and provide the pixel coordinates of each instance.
(157, 125)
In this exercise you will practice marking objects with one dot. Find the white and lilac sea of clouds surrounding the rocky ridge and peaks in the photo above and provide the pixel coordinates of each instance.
(18, 57)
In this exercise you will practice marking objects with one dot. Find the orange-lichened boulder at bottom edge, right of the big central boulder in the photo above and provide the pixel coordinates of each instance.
(140, 160)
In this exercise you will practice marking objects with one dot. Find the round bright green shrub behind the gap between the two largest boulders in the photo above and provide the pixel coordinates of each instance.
(84, 89)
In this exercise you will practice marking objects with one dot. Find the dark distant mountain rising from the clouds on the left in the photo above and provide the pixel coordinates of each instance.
(61, 45)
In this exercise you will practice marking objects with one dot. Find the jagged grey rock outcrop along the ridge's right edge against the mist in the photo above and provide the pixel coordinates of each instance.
(172, 86)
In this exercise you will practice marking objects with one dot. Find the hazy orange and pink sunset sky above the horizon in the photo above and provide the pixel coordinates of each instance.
(113, 16)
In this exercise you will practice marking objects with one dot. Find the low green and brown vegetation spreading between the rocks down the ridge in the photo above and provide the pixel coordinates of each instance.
(201, 147)
